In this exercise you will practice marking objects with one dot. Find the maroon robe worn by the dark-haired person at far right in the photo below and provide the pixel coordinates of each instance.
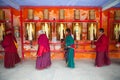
(102, 57)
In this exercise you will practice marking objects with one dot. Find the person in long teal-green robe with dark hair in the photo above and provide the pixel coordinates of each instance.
(69, 50)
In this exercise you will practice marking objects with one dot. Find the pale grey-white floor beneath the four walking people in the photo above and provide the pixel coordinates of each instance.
(84, 70)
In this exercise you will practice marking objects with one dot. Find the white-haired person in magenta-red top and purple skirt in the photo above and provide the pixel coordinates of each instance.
(43, 53)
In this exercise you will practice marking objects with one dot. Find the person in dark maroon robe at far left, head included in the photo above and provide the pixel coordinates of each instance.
(9, 44)
